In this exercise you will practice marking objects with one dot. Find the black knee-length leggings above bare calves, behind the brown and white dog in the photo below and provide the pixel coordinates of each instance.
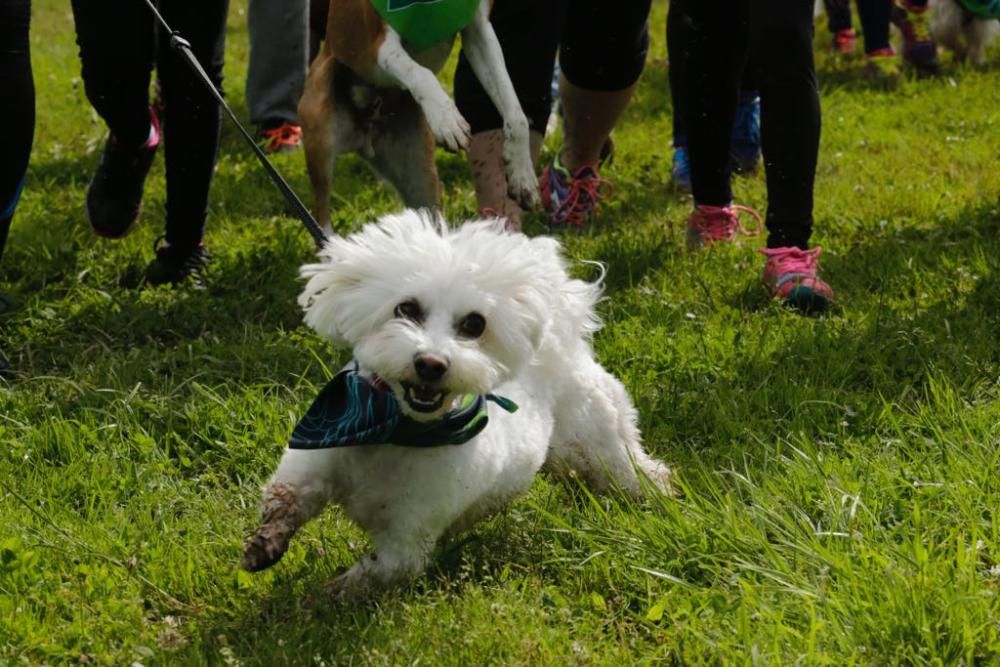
(602, 46)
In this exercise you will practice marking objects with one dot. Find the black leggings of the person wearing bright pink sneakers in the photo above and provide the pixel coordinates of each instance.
(708, 43)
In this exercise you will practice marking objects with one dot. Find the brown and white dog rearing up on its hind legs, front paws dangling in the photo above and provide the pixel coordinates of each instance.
(367, 92)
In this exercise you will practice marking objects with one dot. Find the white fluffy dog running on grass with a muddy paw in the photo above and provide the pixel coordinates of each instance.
(437, 317)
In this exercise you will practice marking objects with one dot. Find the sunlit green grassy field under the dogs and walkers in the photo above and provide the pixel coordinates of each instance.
(839, 474)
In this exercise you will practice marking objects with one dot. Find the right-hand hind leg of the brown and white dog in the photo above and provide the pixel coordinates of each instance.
(404, 155)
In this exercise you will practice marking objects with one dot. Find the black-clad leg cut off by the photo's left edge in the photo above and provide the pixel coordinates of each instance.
(17, 107)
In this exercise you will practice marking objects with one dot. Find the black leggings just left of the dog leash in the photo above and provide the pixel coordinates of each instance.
(118, 46)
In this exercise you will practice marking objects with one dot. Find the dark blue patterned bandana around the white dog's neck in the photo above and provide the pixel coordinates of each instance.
(352, 410)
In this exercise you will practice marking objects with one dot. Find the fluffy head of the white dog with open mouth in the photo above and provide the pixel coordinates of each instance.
(435, 313)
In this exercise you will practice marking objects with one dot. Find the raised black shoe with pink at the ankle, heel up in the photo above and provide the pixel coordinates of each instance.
(114, 197)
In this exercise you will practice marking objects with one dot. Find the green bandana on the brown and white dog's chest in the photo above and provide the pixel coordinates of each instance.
(424, 23)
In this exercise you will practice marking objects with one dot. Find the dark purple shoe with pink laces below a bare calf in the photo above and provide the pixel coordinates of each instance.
(571, 201)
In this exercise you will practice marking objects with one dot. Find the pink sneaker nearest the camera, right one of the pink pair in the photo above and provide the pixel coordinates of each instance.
(792, 275)
